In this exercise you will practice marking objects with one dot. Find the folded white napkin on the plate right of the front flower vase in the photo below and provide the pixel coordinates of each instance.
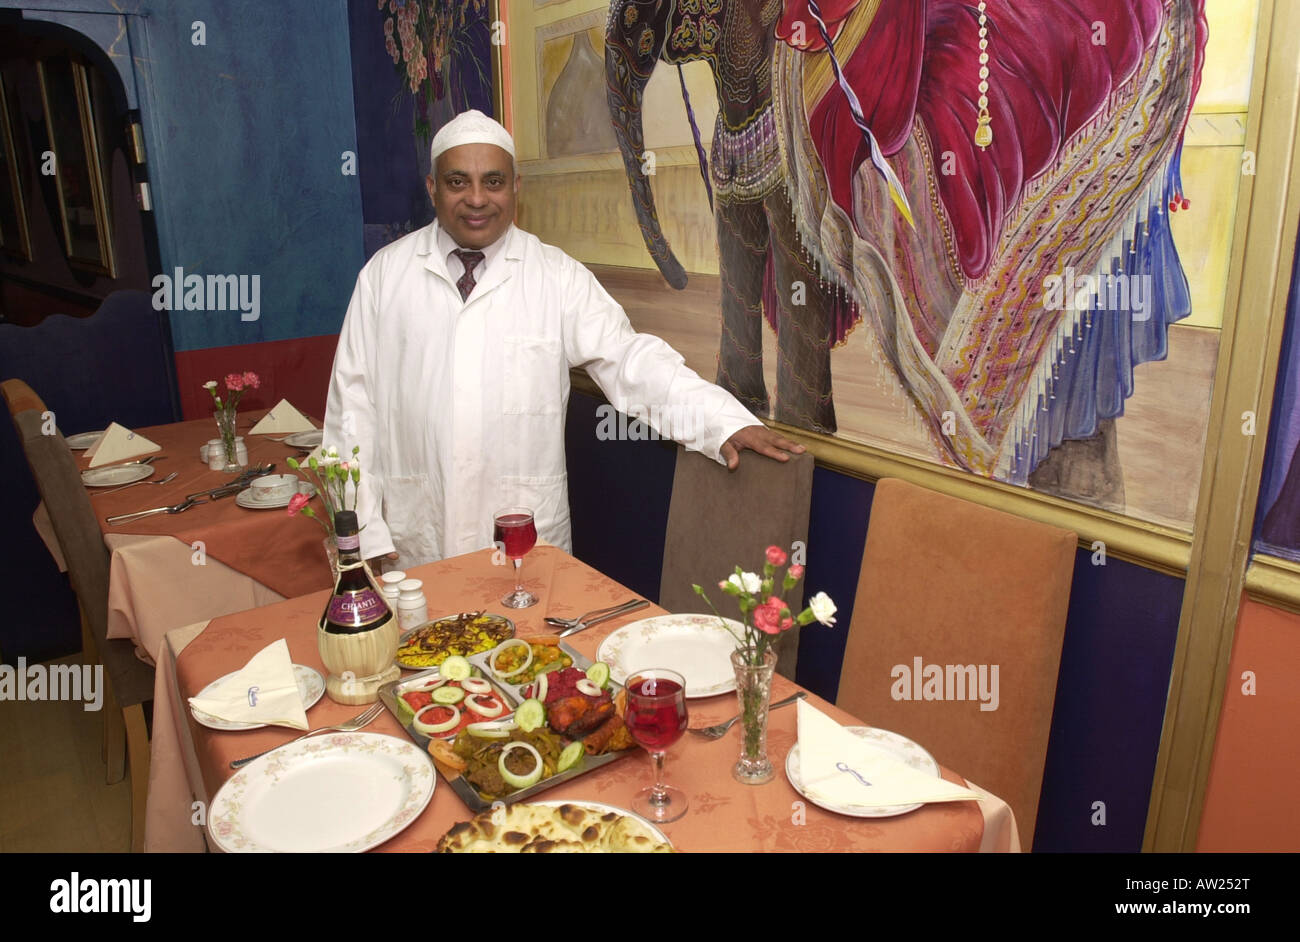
(825, 745)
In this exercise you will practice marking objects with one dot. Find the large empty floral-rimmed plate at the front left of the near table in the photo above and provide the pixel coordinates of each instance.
(332, 793)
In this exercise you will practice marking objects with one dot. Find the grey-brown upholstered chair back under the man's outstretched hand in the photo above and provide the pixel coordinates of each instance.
(721, 519)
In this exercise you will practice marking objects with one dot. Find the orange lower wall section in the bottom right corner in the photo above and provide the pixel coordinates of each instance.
(1250, 802)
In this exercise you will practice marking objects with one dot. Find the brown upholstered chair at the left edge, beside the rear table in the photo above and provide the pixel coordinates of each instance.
(129, 681)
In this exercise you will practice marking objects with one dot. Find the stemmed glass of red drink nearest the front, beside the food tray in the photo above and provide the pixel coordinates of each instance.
(657, 718)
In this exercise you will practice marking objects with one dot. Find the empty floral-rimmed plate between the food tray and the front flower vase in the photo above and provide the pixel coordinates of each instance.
(696, 646)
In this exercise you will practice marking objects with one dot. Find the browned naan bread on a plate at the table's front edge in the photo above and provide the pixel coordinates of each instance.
(541, 830)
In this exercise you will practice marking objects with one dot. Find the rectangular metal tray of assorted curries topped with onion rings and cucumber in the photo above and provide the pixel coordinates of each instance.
(463, 758)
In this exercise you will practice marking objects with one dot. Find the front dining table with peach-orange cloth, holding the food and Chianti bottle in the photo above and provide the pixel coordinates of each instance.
(190, 762)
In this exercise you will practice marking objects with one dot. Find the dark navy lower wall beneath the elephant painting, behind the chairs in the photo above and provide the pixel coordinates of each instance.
(1115, 663)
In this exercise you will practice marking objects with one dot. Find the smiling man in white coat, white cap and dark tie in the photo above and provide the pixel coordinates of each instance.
(452, 372)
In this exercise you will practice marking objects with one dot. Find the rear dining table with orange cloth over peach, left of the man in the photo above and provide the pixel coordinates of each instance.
(174, 570)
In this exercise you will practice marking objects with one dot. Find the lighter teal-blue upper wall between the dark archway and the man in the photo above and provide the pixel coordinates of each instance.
(245, 140)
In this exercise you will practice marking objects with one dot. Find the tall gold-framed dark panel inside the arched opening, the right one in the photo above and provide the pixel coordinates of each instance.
(79, 172)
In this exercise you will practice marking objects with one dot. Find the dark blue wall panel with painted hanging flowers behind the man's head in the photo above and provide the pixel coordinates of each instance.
(417, 64)
